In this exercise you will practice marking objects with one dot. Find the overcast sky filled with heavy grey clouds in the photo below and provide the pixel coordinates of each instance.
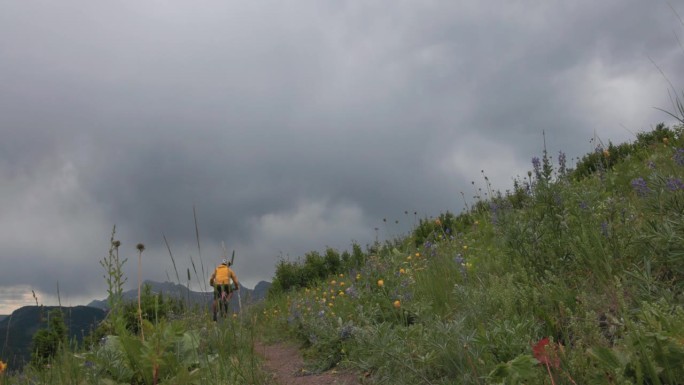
(292, 125)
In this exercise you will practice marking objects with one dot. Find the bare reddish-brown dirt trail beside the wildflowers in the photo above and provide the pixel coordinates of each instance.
(286, 364)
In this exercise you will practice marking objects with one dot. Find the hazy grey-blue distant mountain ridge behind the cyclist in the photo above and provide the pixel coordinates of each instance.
(246, 296)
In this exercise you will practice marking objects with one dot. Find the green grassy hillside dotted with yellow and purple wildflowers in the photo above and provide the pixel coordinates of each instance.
(572, 276)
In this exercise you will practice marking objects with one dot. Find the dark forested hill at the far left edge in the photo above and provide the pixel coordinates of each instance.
(17, 330)
